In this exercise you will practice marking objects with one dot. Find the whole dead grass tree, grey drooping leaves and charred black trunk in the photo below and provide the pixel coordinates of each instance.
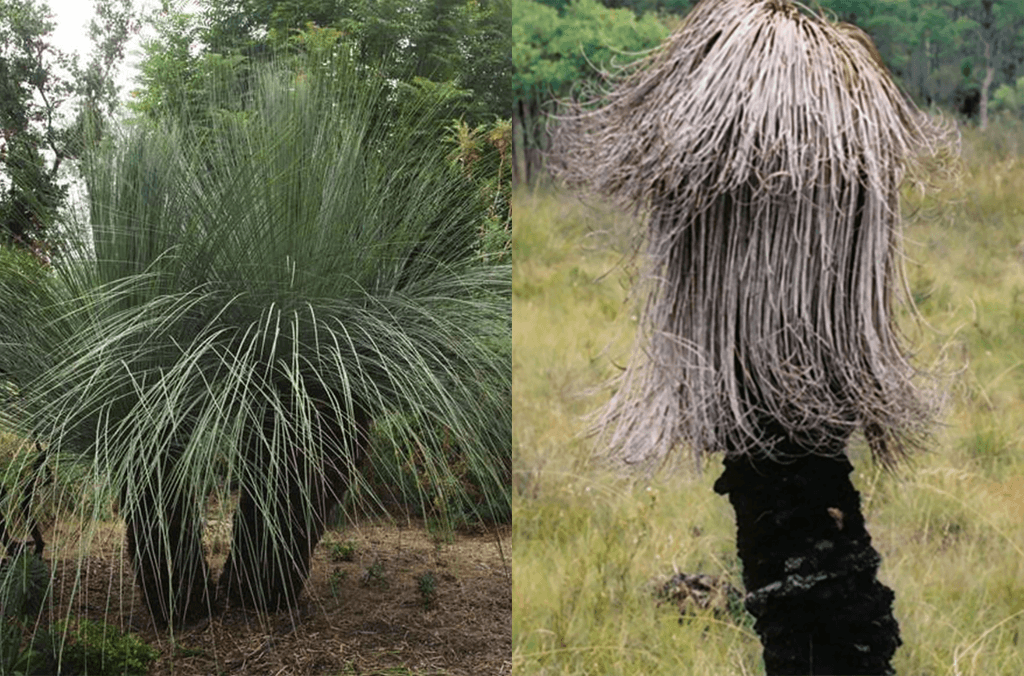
(769, 147)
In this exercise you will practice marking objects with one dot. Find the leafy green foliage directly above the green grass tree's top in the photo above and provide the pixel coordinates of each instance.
(458, 48)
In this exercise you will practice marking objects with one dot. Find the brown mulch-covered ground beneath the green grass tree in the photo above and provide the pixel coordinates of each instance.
(365, 616)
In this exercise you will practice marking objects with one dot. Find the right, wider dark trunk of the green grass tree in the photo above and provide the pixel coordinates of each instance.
(276, 531)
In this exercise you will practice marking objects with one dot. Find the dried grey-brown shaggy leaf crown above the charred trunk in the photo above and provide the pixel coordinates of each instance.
(767, 147)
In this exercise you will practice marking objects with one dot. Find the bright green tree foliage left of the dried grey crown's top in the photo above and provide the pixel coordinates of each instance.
(556, 52)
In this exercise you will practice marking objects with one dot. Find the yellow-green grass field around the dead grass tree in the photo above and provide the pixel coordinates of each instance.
(591, 547)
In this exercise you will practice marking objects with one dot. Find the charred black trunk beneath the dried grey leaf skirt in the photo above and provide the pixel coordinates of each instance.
(809, 567)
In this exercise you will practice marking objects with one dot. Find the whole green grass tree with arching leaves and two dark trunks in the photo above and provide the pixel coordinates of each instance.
(245, 298)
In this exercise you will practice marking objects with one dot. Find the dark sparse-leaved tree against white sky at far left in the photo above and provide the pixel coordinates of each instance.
(49, 105)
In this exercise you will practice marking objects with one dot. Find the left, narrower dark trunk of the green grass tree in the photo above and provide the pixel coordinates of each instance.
(165, 545)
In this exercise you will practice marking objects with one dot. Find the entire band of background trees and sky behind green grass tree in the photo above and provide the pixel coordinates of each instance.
(456, 52)
